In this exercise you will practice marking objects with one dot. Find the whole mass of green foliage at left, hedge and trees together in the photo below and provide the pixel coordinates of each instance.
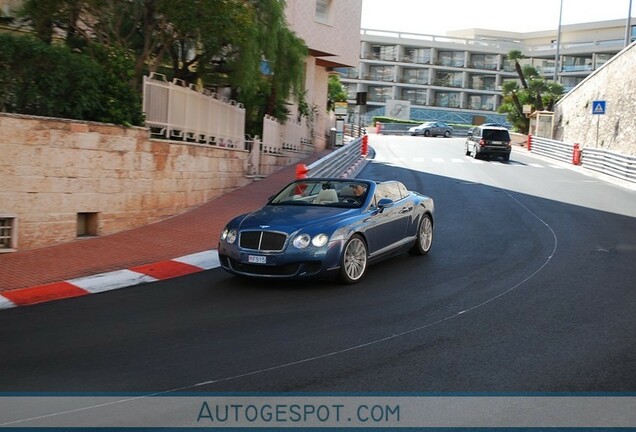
(112, 44)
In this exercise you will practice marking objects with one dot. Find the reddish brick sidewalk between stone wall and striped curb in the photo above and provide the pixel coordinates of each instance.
(194, 231)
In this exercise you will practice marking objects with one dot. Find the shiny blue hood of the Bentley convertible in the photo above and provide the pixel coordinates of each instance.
(291, 218)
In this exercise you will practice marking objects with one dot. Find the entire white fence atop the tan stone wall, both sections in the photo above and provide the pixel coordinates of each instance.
(176, 111)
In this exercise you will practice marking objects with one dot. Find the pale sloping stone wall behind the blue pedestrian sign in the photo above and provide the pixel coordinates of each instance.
(614, 83)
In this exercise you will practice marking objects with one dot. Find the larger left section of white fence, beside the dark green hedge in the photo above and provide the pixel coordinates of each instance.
(176, 111)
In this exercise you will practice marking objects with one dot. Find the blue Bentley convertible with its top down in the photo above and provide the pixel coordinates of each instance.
(317, 227)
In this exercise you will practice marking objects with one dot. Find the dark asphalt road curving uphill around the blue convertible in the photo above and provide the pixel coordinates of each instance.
(529, 287)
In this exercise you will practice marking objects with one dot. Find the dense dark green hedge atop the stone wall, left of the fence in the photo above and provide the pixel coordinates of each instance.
(53, 81)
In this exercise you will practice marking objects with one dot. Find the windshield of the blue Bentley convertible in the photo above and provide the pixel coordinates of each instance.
(333, 193)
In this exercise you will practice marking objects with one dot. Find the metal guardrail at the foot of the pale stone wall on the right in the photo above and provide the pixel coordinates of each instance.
(603, 161)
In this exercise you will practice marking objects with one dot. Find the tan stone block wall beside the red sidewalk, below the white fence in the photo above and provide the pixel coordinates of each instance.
(51, 170)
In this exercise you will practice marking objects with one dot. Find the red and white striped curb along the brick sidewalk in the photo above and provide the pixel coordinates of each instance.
(181, 266)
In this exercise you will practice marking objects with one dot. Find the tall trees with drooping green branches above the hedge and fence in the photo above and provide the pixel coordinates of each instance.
(213, 43)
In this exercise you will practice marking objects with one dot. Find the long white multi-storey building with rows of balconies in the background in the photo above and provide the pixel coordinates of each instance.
(458, 77)
